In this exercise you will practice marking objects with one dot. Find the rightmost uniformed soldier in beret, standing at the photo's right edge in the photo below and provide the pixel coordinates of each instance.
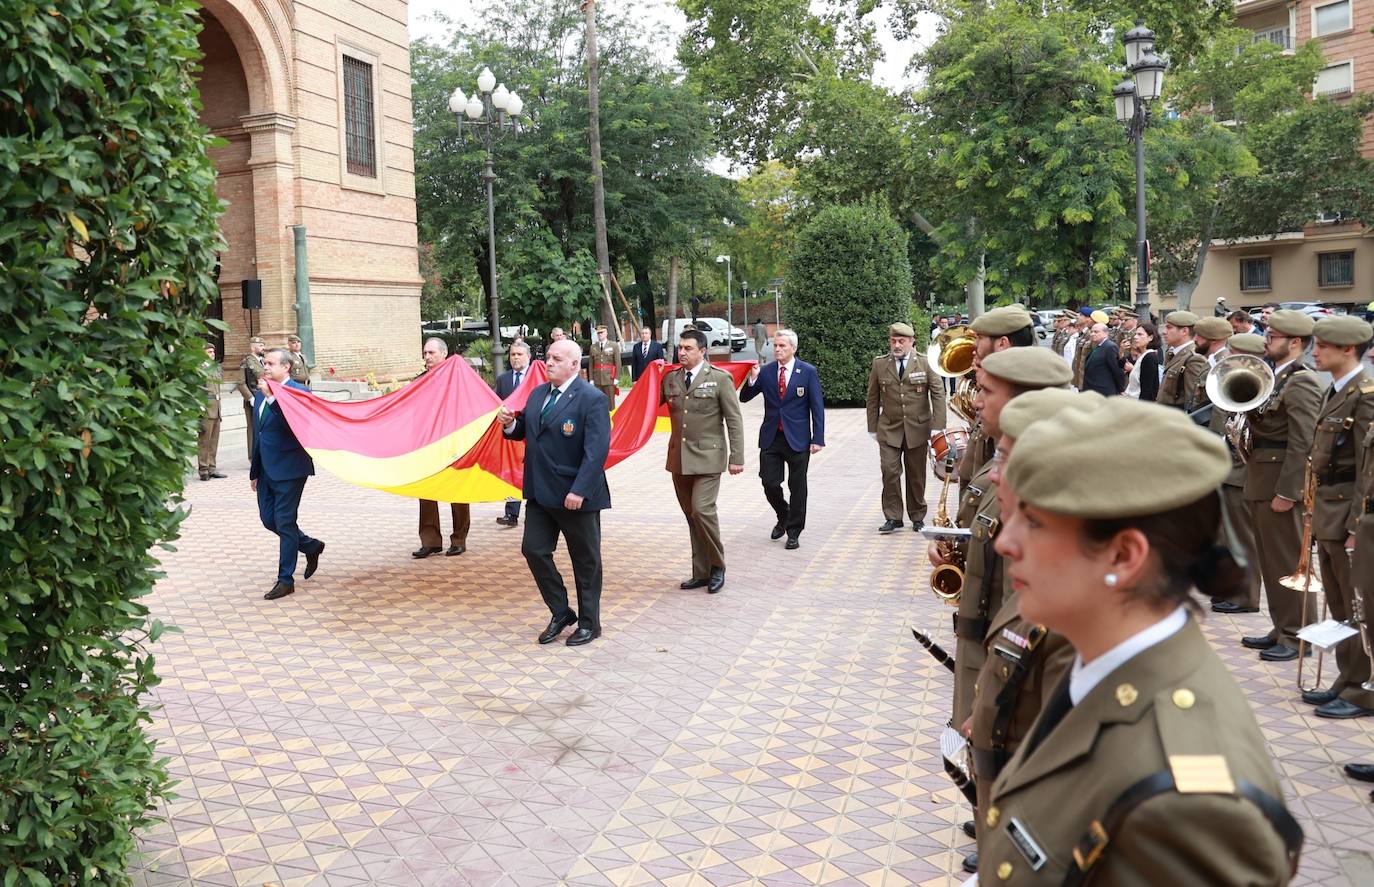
(1338, 448)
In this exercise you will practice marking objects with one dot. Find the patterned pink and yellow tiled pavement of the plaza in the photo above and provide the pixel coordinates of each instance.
(394, 723)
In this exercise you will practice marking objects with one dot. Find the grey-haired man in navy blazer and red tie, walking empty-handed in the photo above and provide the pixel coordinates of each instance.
(792, 433)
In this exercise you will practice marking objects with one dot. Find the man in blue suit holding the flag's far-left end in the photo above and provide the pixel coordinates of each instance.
(278, 472)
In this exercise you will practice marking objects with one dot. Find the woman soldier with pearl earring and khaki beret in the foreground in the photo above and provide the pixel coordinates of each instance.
(1147, 765)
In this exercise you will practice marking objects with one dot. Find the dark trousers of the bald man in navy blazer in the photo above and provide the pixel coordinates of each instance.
(582, 531)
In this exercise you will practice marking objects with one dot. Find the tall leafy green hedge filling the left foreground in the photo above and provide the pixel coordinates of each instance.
(106, 248)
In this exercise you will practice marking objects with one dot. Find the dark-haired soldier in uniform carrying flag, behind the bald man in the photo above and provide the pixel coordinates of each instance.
(708, 437)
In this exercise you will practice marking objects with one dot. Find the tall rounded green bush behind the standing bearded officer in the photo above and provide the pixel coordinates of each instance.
(851, 279)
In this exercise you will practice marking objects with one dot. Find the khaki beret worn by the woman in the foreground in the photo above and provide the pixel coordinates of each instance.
(1061, 466)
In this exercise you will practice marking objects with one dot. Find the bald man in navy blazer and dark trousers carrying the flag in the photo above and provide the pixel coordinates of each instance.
(567, 430)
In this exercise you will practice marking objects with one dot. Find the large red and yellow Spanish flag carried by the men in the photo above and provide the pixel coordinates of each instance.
(439, 439)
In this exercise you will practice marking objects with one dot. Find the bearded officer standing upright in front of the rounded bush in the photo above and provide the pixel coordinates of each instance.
(906, 404)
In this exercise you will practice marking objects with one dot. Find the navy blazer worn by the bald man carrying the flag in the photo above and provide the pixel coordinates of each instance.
(567, 452)
